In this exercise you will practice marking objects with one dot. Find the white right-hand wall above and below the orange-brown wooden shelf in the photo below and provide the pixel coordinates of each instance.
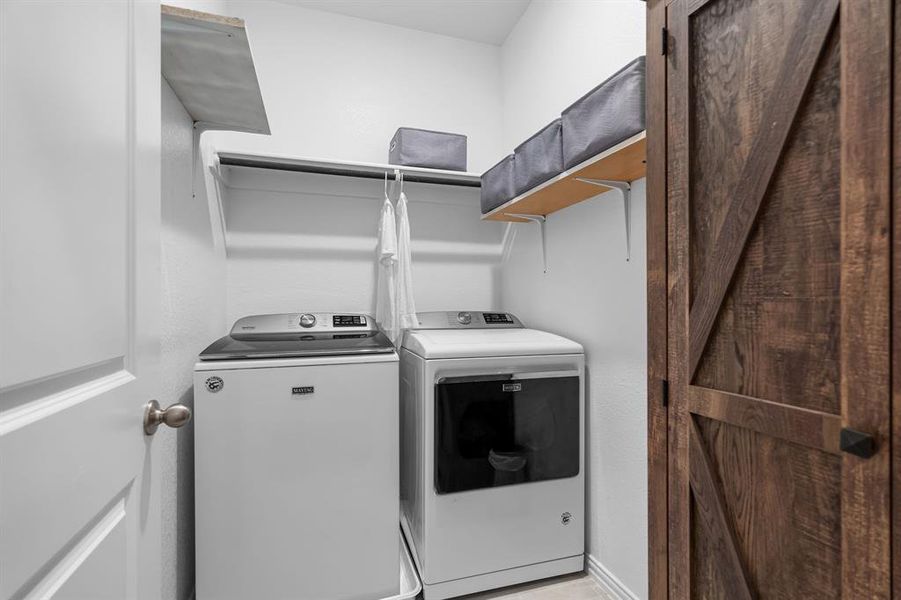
(559, 50)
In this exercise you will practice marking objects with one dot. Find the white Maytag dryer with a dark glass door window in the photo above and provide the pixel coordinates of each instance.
(492, 446)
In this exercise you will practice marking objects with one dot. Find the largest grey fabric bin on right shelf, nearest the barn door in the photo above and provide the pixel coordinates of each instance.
(605, 116)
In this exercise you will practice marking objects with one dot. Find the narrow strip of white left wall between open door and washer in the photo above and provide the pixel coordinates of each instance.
(193, 315)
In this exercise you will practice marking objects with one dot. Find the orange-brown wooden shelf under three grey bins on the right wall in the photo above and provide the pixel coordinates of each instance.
(623, 162)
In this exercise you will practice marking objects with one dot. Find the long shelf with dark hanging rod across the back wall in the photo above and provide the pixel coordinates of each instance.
(348, 169)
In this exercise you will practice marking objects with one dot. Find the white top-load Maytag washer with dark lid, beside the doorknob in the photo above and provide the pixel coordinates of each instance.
(296, 460)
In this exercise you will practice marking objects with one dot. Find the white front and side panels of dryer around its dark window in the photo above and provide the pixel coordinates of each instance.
(473, 533)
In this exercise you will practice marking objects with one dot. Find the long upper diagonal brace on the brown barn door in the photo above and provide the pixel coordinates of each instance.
(792, 82)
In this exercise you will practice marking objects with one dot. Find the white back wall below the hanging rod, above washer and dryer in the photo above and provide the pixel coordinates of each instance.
(307, 242)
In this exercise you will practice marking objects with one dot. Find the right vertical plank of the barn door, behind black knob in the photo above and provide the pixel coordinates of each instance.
(866, 45)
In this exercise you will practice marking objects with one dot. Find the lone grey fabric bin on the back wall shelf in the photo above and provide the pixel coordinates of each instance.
(430, 149)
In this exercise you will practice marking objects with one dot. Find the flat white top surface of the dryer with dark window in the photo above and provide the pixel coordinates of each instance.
(475, 343)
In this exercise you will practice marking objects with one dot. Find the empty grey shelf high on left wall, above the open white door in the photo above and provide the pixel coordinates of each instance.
(207, 60)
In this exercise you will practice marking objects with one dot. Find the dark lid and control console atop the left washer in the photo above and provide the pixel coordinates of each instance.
(297, 335)
